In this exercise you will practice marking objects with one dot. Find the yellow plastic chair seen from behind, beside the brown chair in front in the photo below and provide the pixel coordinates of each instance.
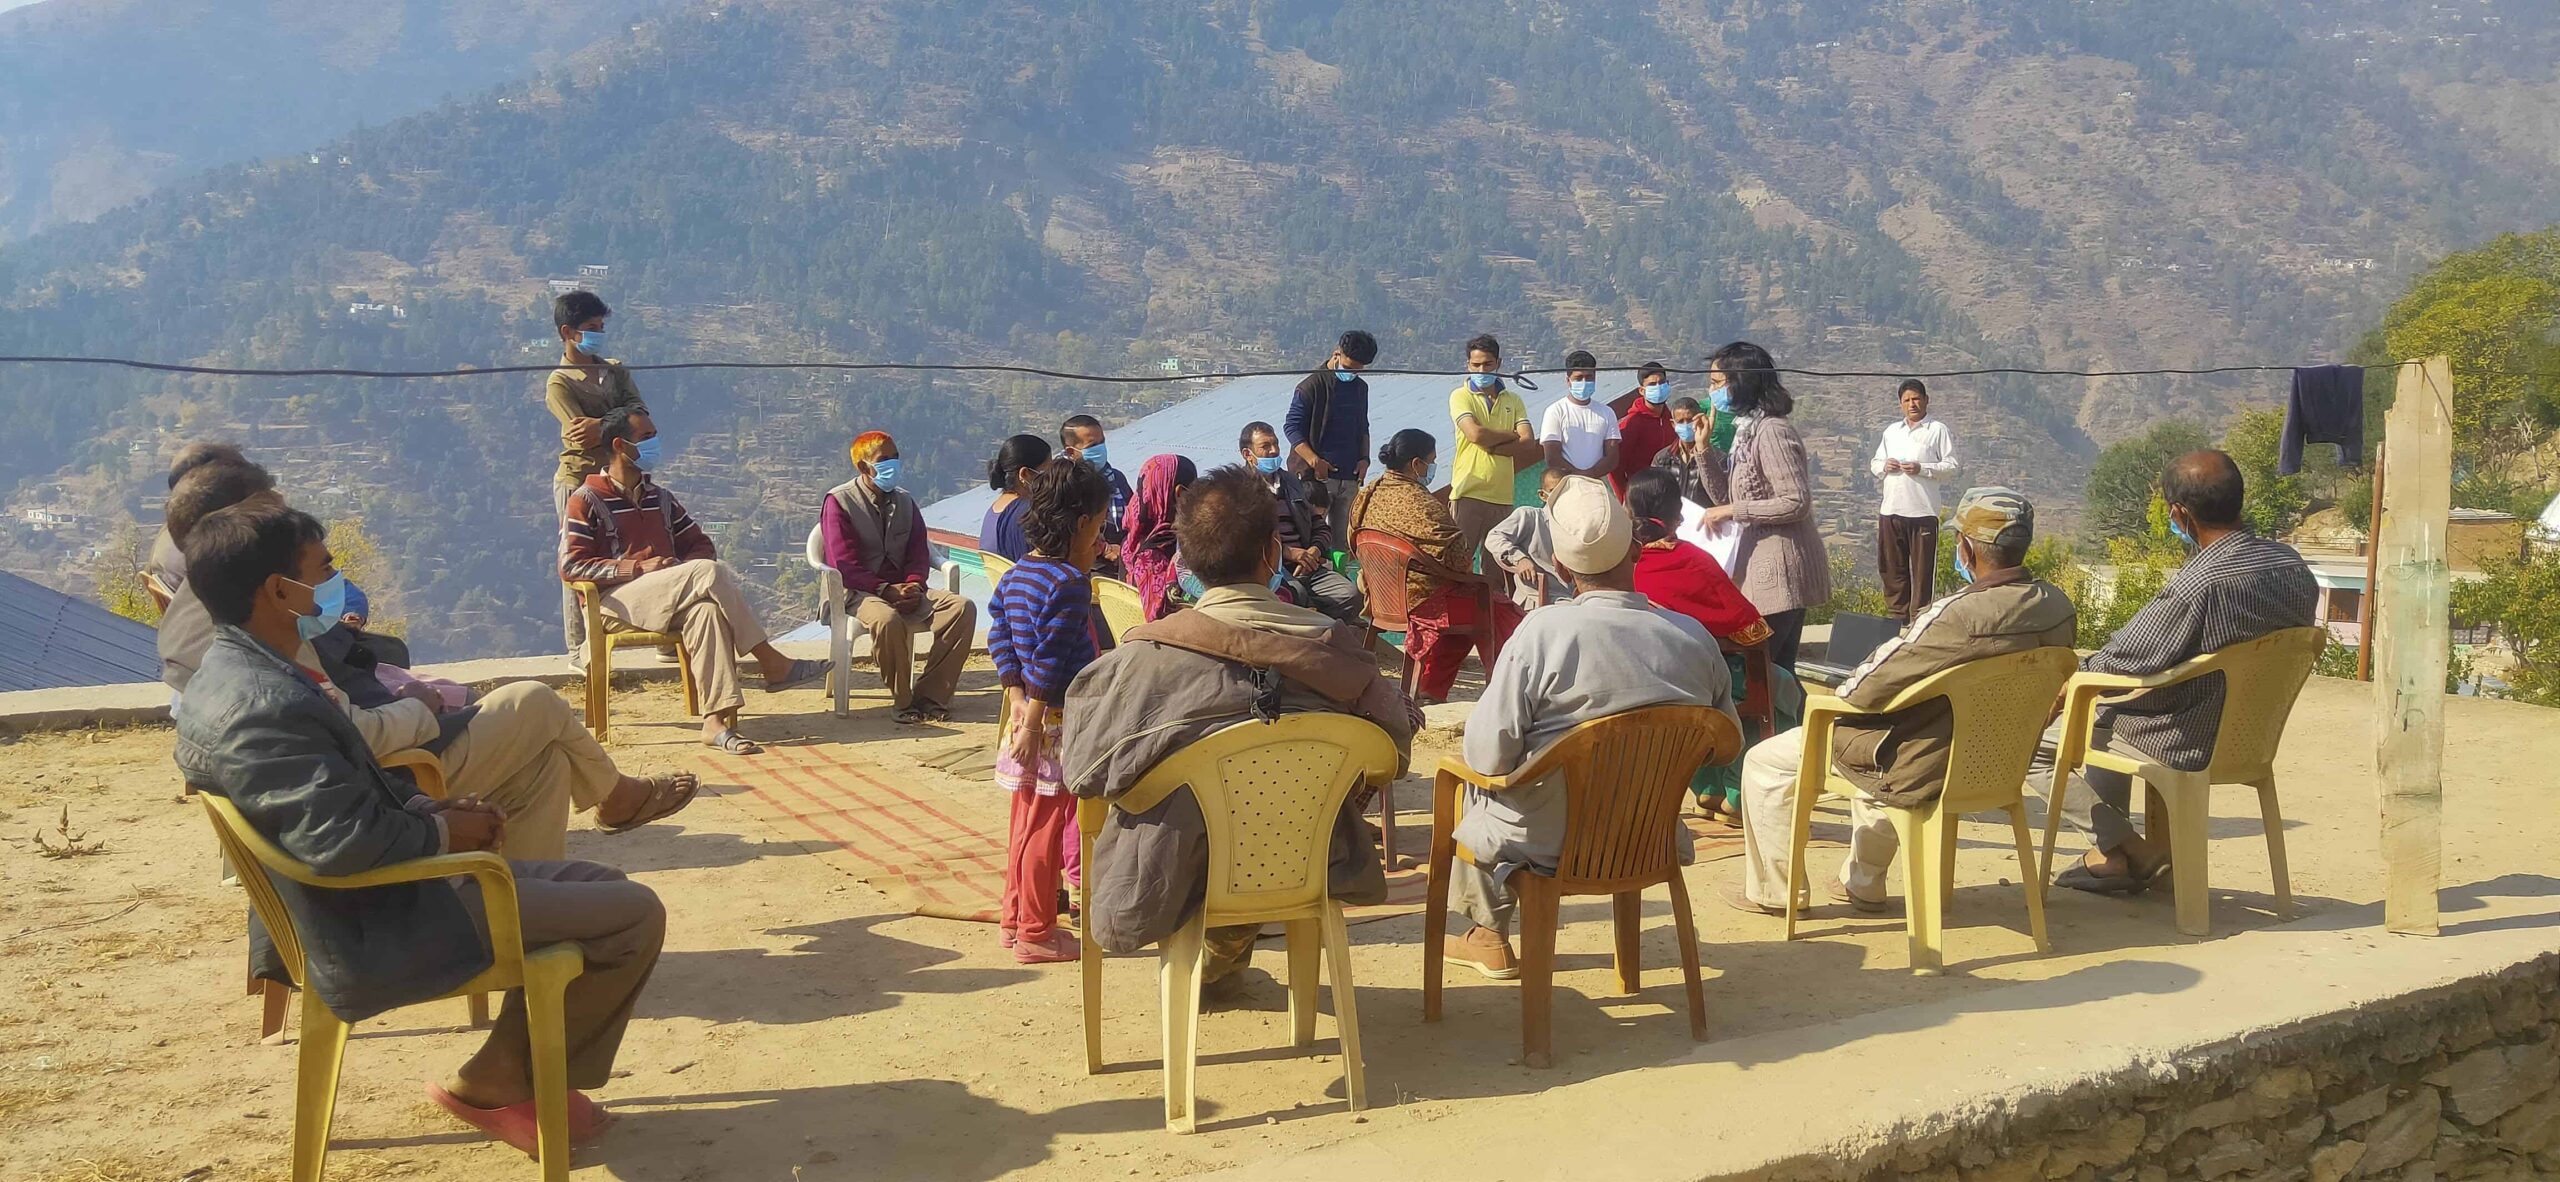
(1271, 794)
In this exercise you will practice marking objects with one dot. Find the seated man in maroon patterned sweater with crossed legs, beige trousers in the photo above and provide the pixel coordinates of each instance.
(657, 572)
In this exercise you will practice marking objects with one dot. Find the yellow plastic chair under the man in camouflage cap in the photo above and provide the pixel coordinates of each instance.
(2001, 710)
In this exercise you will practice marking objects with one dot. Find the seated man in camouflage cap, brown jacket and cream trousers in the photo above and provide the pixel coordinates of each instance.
(1898, 761)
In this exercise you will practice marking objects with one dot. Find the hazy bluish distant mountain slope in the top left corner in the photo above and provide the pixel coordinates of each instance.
(104, 101)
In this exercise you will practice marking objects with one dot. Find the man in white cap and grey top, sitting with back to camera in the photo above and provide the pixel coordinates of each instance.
(1606, 651)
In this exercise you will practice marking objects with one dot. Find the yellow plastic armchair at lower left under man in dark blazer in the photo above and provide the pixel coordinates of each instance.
(541, 973)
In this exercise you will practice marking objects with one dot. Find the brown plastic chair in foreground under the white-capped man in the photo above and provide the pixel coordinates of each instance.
(1624, 779)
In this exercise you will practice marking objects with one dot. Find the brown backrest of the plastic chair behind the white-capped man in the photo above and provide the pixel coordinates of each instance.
(1624, 779)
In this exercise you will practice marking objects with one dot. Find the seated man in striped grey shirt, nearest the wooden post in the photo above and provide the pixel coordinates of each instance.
(2234, 587)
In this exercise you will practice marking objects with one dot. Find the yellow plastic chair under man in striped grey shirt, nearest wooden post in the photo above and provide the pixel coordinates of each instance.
(2259, 687)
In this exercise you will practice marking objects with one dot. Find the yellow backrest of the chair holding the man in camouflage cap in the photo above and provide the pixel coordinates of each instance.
(2001, 710)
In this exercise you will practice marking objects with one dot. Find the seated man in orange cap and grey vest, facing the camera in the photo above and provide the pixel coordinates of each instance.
(874, 539)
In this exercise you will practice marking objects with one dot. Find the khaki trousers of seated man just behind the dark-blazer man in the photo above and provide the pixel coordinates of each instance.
(531, 756)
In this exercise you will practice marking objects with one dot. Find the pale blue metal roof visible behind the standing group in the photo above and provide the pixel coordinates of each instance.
(1207, 429)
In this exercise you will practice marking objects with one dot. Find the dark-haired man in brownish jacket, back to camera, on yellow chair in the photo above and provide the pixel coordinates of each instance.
(1235, 656)
